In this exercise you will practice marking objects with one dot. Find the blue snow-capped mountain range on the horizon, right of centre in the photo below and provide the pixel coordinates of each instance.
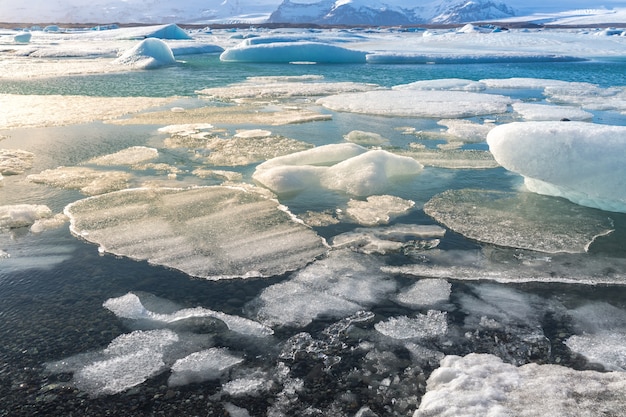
(389, 12)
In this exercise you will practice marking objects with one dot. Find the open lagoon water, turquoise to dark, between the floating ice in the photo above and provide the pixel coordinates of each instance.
(51, 303)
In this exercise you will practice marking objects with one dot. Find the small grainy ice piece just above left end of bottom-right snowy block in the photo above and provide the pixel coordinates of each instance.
(422, 326)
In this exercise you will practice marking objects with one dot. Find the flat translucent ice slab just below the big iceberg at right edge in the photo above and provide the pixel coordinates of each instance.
(521, 220)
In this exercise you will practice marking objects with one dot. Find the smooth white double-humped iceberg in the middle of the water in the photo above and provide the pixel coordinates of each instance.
(346, 167)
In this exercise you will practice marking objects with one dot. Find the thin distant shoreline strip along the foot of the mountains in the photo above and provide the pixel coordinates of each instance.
(511, 25)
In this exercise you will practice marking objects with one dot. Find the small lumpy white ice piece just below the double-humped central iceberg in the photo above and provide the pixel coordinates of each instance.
(378, 209)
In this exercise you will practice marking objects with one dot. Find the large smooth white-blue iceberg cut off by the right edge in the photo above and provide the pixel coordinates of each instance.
(582, 162)
